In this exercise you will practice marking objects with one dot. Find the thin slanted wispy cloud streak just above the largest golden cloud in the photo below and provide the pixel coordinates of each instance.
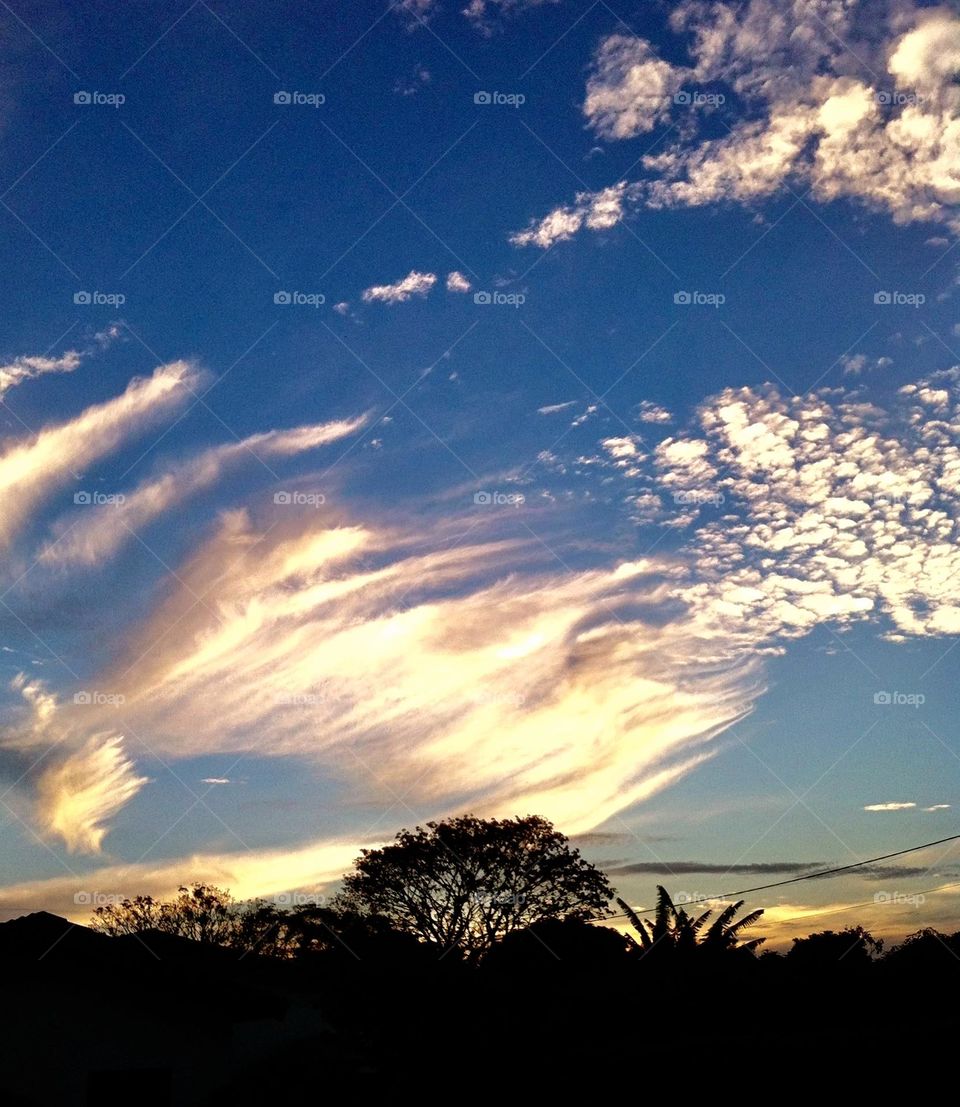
(96, 534)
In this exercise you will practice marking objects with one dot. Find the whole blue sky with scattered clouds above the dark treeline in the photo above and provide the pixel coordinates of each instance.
(531, 408)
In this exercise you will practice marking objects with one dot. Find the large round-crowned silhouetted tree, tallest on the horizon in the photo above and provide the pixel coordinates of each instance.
(466, 883)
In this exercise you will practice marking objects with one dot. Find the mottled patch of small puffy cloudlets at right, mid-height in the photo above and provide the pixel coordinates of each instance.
(811, 510)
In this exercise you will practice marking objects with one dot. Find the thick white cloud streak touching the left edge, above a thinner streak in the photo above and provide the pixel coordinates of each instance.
(33, 468)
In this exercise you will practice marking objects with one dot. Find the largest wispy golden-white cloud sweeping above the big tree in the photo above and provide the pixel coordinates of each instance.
(441, 677)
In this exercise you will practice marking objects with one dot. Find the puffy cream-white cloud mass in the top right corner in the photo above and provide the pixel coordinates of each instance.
(831, 100)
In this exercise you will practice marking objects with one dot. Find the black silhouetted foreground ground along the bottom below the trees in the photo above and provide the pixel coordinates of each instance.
(154, 1020)
